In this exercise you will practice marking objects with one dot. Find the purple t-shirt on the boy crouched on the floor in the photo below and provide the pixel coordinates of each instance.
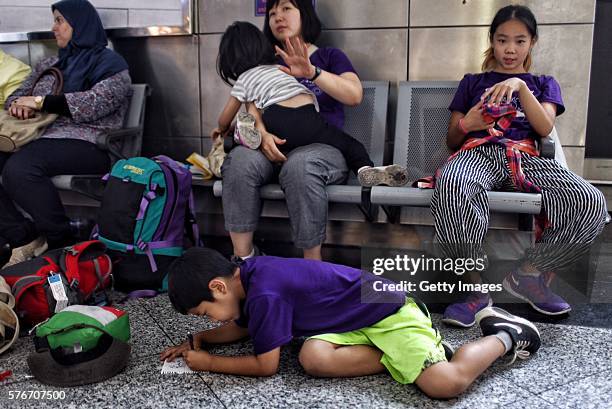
(288, 298)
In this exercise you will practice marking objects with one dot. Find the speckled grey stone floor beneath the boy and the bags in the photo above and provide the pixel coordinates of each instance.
(572, 370)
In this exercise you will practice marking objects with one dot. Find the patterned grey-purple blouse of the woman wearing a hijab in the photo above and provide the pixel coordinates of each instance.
(95, 111)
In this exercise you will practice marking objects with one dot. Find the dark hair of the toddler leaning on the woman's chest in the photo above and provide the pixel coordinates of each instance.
(243, 46)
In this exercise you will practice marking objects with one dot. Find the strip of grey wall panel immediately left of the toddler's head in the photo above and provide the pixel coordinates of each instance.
(214, 91)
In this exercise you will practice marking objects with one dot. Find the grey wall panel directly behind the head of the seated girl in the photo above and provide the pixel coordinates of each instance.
(554, 55)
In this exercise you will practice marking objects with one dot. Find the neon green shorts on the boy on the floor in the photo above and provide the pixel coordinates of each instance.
(407, 340)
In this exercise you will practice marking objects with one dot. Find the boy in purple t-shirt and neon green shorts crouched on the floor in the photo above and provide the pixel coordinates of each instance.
(273, 299)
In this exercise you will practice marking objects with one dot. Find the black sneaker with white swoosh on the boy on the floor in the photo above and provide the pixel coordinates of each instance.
(525, 336)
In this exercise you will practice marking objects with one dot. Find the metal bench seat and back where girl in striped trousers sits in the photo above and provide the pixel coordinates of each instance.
(420, 145)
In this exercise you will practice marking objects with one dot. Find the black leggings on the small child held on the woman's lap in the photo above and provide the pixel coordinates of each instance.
(304, 125)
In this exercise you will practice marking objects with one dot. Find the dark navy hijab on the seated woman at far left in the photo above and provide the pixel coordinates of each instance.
(85, 61)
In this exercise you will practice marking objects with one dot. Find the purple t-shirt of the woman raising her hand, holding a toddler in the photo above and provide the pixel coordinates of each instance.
(335, 61)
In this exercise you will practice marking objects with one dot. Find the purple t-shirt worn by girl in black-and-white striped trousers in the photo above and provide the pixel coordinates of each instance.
(545, 88)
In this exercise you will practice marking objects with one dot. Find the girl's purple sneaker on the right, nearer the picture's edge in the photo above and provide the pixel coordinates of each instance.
(535, 291)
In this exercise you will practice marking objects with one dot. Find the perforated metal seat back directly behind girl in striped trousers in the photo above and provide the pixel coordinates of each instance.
(422, 125)
